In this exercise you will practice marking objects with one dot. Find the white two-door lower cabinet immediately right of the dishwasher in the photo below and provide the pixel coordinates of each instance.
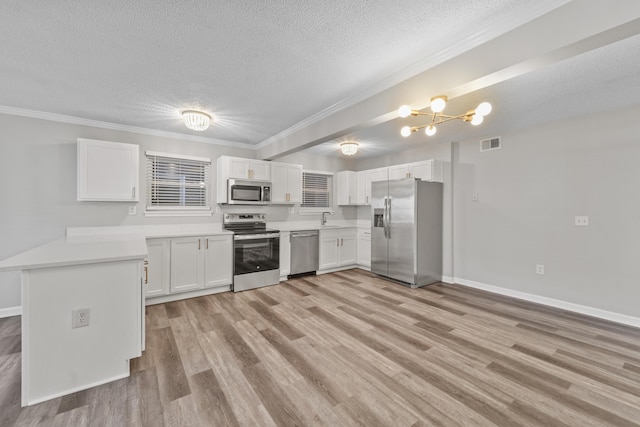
(337, 248)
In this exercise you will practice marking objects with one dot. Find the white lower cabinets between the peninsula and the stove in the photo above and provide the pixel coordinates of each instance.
(185, 264)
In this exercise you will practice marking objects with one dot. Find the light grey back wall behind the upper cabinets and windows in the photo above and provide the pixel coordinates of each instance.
(38, 191)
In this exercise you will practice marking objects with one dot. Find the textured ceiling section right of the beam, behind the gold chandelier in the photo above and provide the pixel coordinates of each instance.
(604, 79)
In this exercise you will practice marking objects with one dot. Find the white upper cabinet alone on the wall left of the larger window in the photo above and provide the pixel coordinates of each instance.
(107, 171)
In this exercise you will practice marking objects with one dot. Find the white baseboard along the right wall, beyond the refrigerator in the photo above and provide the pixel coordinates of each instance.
(564, 305)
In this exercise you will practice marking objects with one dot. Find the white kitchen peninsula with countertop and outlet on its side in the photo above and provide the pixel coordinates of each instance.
(82, 313)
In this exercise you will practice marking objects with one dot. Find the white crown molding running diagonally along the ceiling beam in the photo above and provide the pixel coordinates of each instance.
(466, 42)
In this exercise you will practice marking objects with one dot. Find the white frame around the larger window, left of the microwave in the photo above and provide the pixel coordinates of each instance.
(156, 210)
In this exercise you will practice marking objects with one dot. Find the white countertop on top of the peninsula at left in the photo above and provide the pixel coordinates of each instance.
(63, 252)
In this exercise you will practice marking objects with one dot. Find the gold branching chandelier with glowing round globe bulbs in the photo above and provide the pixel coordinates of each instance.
(475, 117)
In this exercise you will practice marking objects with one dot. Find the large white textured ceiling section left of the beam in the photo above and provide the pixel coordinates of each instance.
(258, 67)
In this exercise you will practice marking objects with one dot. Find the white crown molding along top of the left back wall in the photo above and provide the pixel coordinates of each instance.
(13, 111)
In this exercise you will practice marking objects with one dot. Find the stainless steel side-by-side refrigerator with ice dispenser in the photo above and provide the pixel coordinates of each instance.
(406, 231)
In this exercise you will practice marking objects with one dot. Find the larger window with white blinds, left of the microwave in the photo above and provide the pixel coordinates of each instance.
(178, 183)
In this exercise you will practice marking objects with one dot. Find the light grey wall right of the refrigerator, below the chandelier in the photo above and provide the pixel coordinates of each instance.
(529, 192)
